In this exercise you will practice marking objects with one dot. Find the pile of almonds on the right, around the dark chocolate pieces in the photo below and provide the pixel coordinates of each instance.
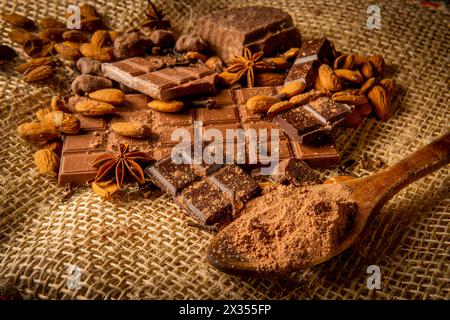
(352, 79)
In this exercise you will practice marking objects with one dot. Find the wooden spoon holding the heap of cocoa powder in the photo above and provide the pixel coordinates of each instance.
(370, 194)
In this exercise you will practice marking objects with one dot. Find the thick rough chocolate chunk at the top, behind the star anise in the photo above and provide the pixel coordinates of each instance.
(258, 28)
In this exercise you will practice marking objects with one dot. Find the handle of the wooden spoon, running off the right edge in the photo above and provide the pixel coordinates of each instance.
(385, 184)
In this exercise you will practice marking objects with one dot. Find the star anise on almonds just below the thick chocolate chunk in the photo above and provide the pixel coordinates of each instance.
(247, 64)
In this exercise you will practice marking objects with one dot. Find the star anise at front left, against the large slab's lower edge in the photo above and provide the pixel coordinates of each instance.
(121, 162)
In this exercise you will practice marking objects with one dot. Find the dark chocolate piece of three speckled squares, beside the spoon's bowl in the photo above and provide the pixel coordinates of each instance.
(208, 198)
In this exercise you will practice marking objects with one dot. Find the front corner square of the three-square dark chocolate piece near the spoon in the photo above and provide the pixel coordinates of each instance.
(205, 202)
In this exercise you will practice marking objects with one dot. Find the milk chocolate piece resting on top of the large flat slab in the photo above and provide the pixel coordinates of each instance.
(149, 76)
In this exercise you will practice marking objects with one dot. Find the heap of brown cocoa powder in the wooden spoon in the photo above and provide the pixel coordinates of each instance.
(289, 228)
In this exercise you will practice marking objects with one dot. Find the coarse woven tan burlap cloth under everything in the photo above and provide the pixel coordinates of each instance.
(133, 247)
